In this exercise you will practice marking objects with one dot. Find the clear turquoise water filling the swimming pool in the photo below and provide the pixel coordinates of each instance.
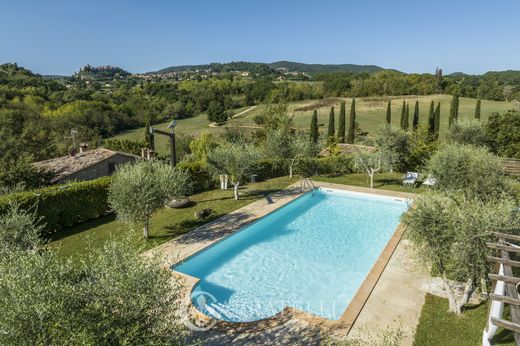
(312, 254)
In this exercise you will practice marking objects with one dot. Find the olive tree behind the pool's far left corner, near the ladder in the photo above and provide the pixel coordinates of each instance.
(288, 147)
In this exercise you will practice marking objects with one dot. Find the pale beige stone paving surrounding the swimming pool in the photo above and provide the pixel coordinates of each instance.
(394, 302)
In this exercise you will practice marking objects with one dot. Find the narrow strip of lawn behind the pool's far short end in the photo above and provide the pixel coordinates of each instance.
(384, 181)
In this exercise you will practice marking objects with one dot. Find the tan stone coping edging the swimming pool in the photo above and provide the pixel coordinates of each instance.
(345, 323)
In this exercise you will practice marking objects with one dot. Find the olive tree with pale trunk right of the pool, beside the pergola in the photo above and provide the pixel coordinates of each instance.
(449, 231)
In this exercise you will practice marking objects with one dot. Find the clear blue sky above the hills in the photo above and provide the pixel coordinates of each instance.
(58, 37)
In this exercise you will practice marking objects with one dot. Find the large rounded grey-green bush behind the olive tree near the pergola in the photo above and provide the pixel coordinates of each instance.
(472, 170)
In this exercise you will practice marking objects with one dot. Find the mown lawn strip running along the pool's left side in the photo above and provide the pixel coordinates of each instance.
(166, 224)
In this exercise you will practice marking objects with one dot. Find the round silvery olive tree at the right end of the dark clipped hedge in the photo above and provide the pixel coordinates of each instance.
(139, 189)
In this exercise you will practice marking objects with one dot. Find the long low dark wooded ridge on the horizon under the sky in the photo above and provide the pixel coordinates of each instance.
(271, 67)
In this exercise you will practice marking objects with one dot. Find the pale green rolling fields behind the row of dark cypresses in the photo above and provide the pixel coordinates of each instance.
(370, 114)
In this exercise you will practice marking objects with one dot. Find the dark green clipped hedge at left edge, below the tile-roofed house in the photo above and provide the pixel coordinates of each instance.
(62, 206)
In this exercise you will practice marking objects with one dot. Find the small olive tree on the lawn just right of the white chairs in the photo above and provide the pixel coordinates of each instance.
(237, 160)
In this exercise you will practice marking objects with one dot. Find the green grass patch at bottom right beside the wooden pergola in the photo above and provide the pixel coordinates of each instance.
(439, 327)
